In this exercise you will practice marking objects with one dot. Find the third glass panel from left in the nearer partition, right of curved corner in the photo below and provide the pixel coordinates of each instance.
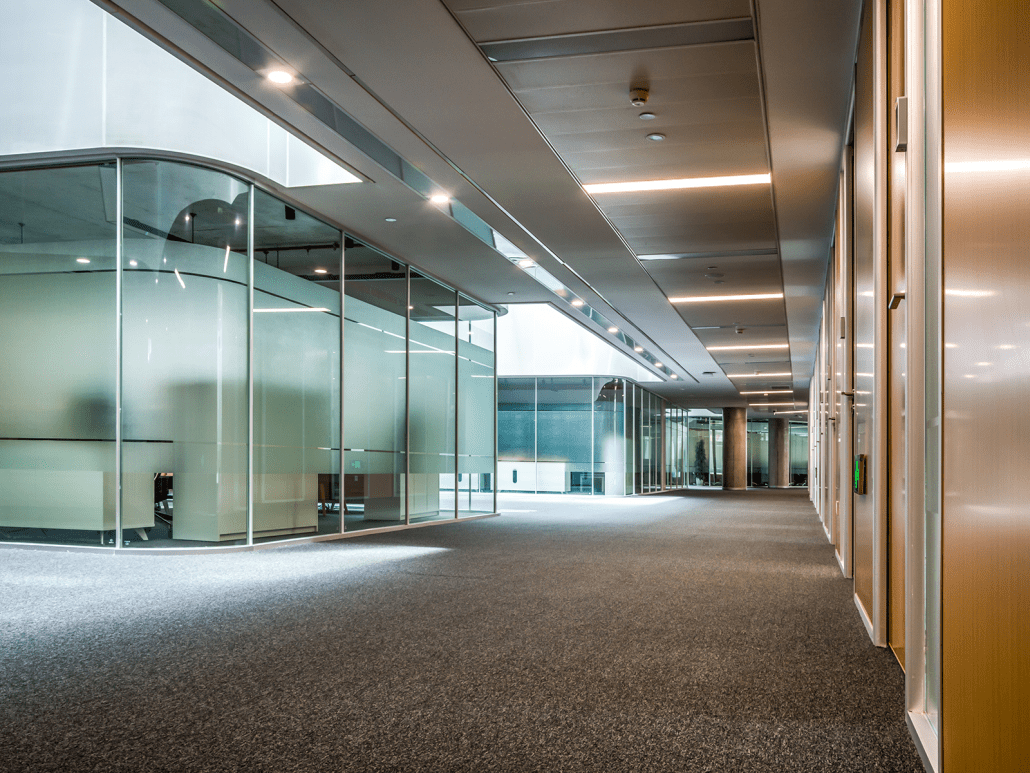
(297, 373)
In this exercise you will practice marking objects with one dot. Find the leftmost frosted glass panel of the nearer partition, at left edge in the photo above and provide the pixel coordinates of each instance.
(58, 344)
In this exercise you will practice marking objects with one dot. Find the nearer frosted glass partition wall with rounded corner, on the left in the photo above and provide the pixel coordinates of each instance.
(191, 362)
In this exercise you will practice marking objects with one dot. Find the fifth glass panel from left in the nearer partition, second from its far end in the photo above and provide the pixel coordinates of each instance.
(432, 400)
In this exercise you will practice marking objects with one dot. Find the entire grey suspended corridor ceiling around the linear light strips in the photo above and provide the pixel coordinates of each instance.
(511, 108)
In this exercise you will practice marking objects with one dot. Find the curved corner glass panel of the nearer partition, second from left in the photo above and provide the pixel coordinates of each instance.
(185, 333)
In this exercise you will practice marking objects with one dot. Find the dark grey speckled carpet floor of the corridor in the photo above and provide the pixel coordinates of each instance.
(706, 632)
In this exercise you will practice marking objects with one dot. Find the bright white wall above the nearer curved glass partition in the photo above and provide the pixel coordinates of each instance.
(76, 78)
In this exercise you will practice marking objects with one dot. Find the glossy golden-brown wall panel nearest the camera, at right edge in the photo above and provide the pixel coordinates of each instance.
(986, 484)
